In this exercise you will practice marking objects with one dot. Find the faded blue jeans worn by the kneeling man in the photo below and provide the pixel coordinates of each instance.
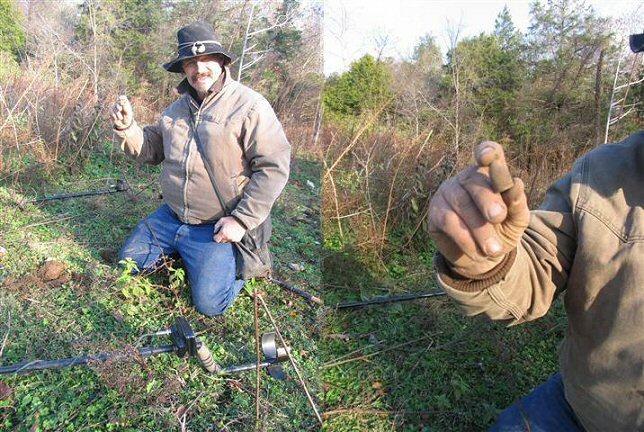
(210, 266)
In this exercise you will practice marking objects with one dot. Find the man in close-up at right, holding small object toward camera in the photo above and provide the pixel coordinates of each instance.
(586, 242)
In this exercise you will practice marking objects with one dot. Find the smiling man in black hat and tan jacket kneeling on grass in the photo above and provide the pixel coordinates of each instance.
(225, 161)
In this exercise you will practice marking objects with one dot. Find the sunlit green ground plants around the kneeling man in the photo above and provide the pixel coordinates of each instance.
(96, 307)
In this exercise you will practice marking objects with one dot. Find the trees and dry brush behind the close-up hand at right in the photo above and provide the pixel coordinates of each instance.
(544, 94)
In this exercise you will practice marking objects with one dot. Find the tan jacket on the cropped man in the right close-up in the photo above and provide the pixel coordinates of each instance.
(587, 242)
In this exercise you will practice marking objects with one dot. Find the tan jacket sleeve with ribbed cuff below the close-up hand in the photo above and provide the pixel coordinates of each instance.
(523, 287)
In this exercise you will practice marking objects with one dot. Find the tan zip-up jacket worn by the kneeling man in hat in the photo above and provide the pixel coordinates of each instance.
(245, 143)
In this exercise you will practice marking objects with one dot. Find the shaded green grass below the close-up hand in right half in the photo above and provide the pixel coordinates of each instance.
(453, 373)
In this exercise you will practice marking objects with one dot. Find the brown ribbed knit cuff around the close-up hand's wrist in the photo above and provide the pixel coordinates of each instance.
(475, 283)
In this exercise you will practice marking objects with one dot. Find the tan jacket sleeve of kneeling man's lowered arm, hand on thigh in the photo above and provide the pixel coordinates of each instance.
(269, 152)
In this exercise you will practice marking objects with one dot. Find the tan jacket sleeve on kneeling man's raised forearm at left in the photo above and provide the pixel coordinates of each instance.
(145, 145)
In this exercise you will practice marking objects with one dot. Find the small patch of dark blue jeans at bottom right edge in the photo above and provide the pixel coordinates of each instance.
(543, 410)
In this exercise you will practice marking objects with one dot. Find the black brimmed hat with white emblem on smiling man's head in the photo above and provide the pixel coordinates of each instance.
(197, 39)
